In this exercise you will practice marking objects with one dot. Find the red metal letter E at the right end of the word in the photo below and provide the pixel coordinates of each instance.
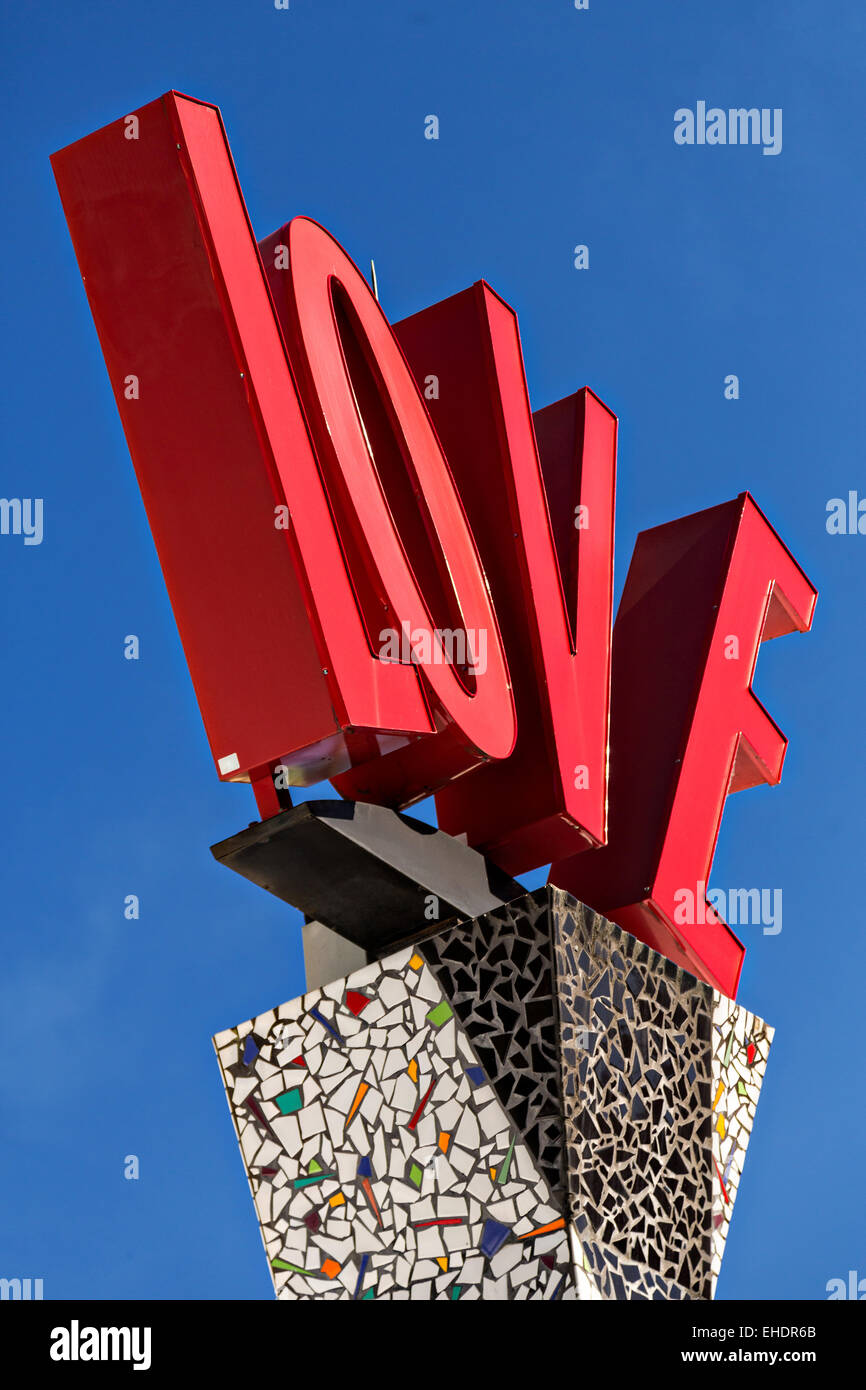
(686, 726)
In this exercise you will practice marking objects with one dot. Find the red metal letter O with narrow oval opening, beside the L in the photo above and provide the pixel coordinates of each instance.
(383, 462)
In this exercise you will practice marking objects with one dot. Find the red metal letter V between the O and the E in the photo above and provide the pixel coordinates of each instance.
(546, 534)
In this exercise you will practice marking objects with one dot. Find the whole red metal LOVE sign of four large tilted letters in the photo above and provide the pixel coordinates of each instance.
(390, 573)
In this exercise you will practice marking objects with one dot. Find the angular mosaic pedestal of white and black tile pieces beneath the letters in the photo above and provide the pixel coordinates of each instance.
(529, 1106)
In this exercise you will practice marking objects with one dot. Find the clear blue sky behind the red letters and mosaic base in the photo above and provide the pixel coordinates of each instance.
(557, 129)
